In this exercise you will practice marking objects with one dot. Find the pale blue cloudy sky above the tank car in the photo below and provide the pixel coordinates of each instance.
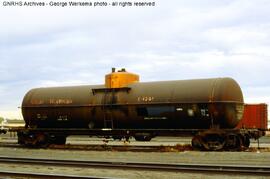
(176, 39)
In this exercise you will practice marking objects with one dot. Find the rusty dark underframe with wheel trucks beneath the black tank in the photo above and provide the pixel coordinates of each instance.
(203, 139)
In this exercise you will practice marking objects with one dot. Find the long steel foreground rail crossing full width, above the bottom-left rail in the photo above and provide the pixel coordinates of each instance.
(206, 168)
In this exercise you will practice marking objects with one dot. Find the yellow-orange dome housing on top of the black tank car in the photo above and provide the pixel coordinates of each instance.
(120, 79)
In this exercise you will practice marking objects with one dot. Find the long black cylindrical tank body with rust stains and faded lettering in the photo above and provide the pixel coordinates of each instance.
(182, 104)
